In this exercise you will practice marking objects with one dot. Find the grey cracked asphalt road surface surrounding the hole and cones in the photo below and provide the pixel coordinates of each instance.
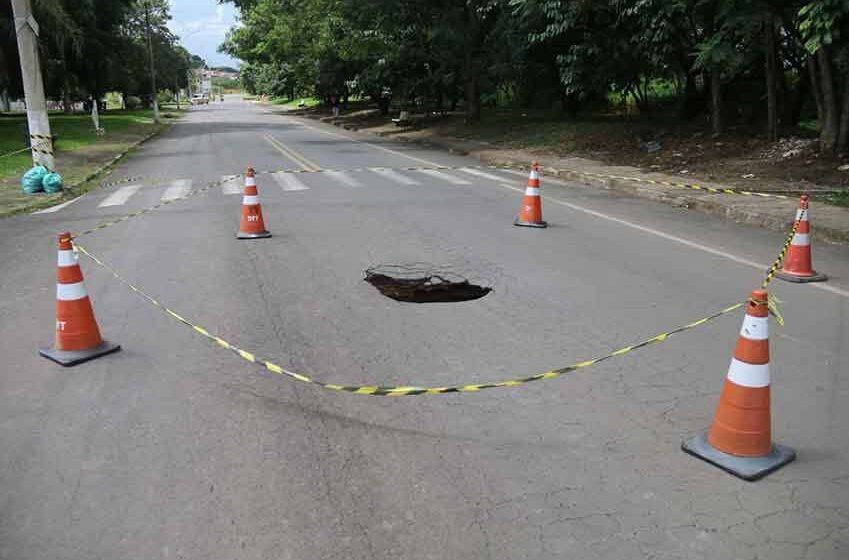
(176, 448)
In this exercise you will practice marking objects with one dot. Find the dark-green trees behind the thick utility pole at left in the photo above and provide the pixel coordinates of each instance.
(90, 47)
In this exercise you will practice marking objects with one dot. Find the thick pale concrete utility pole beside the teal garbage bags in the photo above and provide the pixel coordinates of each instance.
(26, 29)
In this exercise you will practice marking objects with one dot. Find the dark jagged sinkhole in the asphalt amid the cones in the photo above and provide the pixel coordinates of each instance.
(422, 283)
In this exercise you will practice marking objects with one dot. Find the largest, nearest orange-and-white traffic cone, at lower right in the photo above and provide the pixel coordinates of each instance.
(740, 439)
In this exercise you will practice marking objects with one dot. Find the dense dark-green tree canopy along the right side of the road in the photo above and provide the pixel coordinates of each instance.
(729, 60)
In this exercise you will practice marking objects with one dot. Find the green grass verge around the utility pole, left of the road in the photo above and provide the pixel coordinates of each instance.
(79, 151)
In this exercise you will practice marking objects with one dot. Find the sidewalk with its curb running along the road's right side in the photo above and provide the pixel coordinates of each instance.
(830, 223)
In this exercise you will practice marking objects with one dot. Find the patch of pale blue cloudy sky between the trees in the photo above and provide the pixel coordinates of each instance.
(201, 26)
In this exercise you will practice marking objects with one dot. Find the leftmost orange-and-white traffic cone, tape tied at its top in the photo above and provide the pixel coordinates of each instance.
(77, 335)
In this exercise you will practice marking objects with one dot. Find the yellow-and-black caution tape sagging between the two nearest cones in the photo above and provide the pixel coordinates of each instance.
(404, 390)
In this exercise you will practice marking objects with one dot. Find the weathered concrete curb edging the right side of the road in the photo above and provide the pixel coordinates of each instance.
(712, 205)
